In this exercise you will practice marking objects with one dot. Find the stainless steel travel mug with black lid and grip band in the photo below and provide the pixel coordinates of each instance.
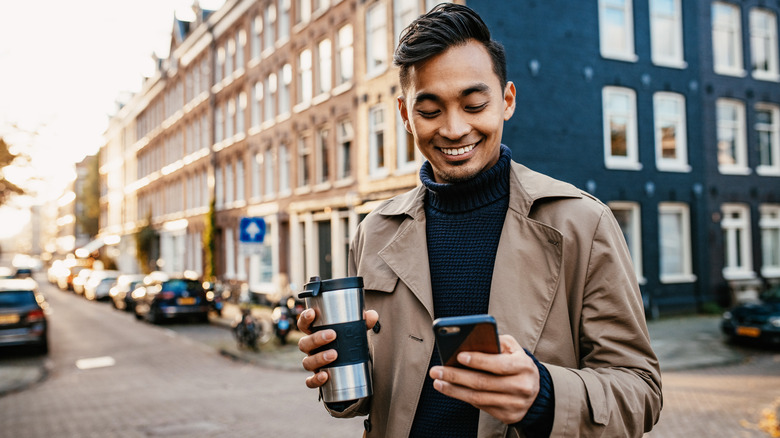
(338, 305)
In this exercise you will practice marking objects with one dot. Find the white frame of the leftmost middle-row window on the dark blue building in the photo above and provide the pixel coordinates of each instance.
(631, 160)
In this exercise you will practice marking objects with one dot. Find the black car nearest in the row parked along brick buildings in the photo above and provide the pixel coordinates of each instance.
(166, 298)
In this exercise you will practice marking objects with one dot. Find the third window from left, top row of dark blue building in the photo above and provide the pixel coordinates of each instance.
(727, 39)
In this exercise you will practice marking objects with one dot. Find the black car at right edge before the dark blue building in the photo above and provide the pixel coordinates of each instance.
(757, 321)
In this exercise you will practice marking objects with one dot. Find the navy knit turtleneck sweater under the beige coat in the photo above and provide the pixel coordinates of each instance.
(463, 225)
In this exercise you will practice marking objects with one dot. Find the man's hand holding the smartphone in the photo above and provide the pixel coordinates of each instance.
(503, 385)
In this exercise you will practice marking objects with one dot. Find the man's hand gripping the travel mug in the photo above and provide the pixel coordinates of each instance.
(312, 341)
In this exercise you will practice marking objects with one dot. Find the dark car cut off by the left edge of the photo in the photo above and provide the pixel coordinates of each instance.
(22, 314)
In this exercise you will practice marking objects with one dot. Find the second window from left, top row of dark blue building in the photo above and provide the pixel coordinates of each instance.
(666, 33)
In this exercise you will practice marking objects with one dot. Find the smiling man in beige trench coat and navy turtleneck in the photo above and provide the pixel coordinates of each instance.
(484, 234)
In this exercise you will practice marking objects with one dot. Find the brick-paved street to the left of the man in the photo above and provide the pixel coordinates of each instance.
(139, 380)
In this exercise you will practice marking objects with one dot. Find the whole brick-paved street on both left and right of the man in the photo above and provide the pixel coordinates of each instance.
(112, 376)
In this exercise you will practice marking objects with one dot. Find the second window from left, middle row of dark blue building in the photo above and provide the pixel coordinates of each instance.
(671, 151)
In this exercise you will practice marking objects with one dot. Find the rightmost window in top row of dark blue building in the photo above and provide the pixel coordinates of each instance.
(763, 44)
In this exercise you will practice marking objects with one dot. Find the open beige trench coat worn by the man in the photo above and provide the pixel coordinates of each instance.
(563, 286)
